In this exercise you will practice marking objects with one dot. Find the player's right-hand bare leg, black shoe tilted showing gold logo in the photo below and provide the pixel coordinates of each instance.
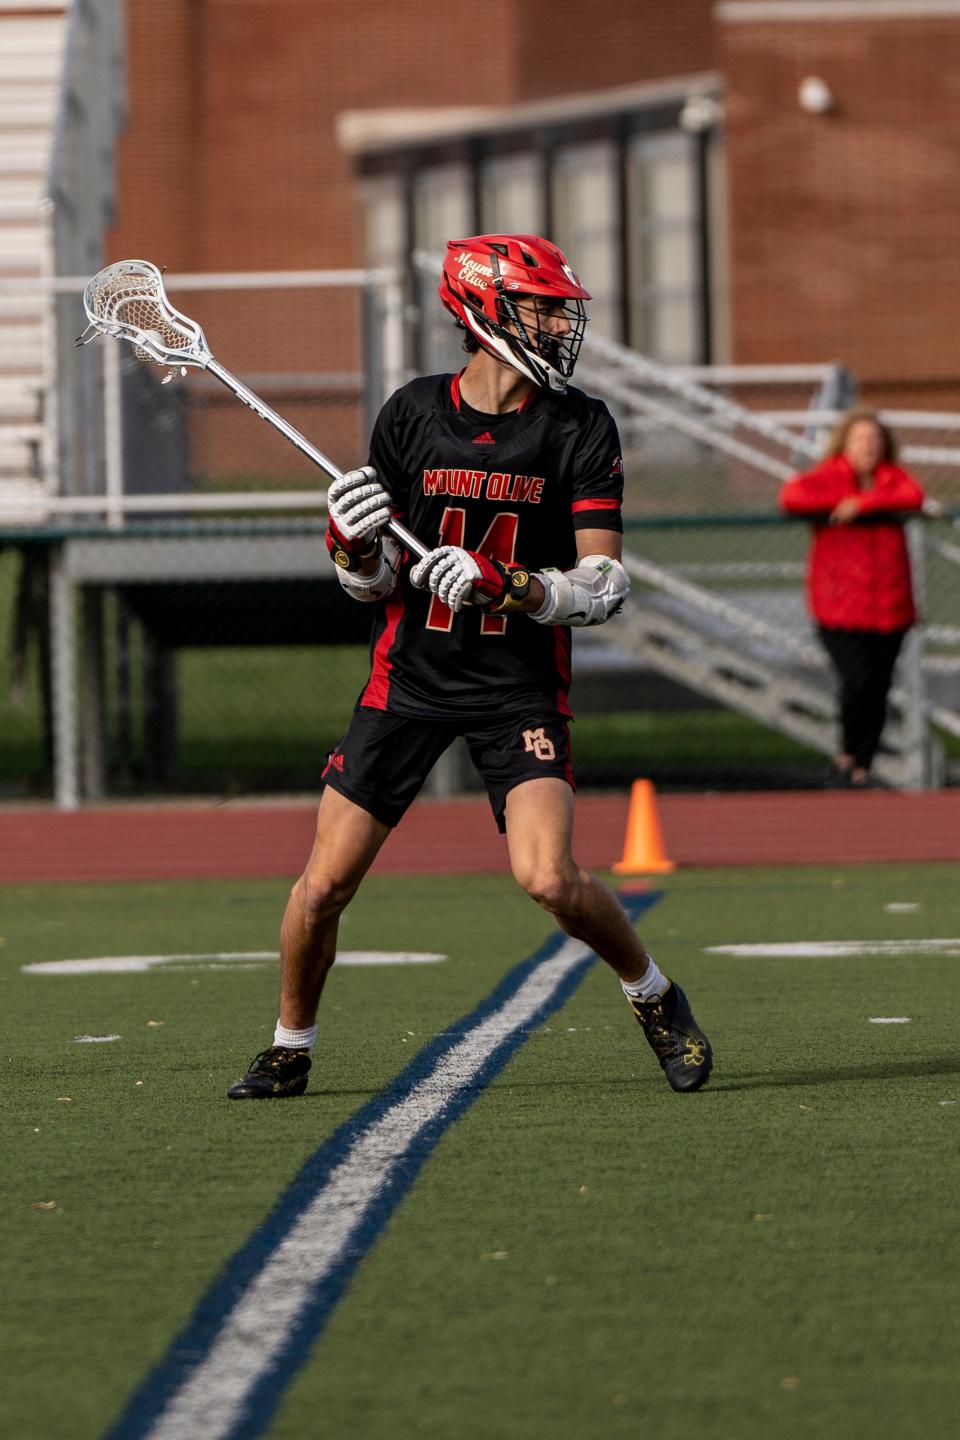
(539, 834)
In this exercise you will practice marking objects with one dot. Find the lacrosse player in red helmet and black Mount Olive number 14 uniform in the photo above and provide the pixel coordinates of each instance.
(517, 482)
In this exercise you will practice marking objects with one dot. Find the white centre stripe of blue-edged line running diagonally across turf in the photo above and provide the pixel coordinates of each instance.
(258, 1328)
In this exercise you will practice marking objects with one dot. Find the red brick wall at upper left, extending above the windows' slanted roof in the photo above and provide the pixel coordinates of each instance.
(230, 161)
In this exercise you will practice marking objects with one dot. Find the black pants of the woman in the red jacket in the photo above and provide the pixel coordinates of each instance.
(864, 663)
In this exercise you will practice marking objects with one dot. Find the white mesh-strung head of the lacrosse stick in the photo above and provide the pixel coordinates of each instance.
(129, 302)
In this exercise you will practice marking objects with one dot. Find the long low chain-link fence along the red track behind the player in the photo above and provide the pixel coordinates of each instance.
(240, 675)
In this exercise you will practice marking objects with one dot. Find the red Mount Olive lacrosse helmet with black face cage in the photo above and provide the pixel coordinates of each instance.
(481, 284)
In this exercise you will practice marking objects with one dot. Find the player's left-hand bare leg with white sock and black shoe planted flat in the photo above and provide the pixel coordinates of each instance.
(346, 845)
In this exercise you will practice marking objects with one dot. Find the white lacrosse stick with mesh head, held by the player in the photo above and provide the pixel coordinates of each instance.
(129, 302)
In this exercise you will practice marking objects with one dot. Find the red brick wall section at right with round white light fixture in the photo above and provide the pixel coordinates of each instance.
(844, 227)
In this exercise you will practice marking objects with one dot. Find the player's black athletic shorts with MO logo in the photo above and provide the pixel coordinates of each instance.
(384, 760)
